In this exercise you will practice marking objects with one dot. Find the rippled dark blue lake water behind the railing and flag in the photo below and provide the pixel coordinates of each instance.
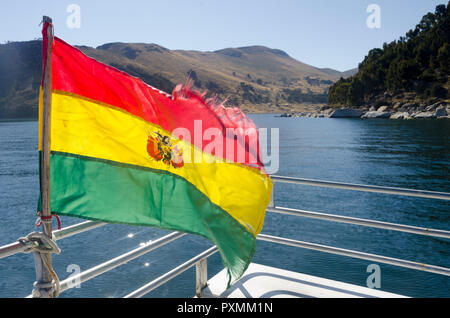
(413, 154)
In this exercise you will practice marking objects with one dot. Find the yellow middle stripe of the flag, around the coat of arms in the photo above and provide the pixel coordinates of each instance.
(87, 128)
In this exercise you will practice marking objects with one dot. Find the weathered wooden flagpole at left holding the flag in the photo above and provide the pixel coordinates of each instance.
(43, 261)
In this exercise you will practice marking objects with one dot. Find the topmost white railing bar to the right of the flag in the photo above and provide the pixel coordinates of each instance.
(364, 188)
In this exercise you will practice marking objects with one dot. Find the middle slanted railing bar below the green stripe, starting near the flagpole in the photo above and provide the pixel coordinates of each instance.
(117, 261)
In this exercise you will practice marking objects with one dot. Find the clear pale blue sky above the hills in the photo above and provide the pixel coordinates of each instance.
(322, 33)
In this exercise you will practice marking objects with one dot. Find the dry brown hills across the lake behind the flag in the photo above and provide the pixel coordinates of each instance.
(255, 78)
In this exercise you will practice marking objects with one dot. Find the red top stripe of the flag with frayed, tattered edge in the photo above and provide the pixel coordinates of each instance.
(76, 73)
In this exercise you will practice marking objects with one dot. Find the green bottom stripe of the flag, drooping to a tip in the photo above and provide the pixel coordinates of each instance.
(101, 190)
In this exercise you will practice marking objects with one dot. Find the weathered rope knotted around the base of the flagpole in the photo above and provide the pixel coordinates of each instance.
(39, 243)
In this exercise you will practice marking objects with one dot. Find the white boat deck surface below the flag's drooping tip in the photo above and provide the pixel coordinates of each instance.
(260, 281)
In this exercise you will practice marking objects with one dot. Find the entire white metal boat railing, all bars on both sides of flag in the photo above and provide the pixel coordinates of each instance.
(200, 261)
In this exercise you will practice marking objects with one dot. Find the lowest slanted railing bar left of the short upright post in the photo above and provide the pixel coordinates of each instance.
(171, 274)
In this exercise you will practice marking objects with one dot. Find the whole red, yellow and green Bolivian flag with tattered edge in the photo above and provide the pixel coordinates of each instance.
(115, 157)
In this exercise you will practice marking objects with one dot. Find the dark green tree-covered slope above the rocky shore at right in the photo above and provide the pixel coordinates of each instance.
(416, 66)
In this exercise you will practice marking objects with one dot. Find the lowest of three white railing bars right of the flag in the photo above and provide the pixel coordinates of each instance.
(356, 254)
